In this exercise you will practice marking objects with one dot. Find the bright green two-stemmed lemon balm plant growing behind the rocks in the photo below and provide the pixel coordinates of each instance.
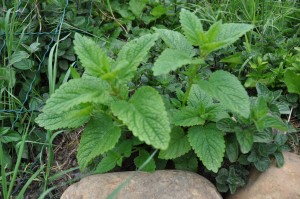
(101, 95)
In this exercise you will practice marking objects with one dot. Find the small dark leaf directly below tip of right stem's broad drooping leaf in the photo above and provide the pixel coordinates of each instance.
(245, 138)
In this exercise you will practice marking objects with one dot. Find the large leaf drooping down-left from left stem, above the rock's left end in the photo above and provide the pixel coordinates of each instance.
(99, 136)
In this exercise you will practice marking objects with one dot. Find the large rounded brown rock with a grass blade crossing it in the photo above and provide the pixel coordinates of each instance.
(157, 185)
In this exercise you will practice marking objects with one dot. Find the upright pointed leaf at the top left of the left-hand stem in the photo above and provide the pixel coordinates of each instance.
(92, 57)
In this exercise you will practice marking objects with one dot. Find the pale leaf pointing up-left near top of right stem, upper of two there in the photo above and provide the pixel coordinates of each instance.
(176, 40)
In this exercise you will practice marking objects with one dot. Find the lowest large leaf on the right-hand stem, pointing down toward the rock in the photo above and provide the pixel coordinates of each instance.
(208, 143)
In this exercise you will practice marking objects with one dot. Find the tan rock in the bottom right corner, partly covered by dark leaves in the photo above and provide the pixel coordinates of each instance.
(275, 183)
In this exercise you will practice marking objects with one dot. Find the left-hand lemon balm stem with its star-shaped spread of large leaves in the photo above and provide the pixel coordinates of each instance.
(101, 94)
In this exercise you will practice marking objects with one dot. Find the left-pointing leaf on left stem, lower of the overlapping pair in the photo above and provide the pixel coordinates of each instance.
(73, 118)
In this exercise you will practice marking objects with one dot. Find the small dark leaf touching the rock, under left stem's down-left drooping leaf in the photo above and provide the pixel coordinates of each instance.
(108, 162)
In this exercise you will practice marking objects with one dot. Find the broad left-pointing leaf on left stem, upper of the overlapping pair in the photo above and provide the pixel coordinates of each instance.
(78, 91)
